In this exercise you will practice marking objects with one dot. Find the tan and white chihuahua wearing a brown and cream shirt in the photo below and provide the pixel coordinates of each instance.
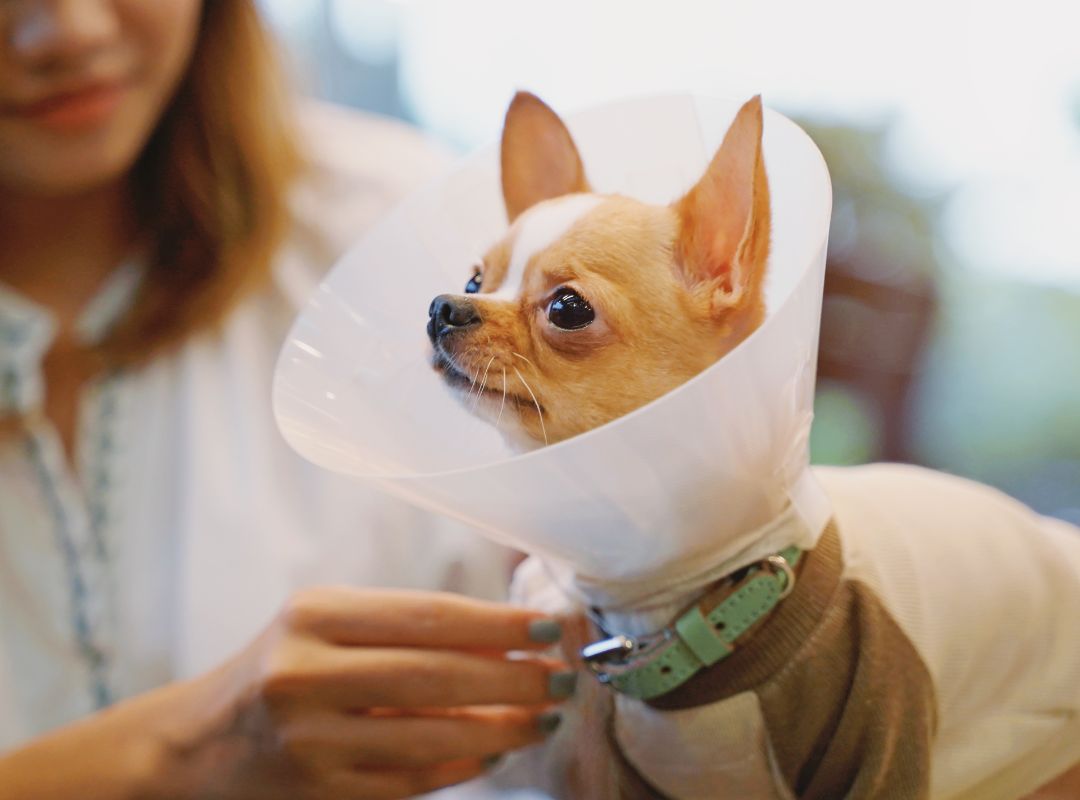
(931, 646)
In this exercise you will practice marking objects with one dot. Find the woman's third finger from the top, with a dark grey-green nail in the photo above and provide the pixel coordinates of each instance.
(400, 742)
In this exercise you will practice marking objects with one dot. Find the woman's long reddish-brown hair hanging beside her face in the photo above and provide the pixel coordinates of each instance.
(211, 187)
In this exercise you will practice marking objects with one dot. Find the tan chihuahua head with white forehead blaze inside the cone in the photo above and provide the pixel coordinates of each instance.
(592, 305)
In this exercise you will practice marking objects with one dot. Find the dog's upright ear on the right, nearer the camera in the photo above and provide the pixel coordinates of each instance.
(725, 220)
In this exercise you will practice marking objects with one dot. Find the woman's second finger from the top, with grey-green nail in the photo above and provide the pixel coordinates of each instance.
(349, 679)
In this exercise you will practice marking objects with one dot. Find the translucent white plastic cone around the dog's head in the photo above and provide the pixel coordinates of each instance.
(678, 483)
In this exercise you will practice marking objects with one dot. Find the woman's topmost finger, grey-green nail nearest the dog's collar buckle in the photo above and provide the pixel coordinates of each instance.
(386, 618)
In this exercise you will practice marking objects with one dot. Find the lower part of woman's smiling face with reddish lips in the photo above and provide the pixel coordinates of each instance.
(83, 85)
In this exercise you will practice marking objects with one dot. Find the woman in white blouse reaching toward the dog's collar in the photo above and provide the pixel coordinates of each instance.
(159, 225)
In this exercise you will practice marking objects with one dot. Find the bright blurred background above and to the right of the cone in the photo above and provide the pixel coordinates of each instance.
(952, 326)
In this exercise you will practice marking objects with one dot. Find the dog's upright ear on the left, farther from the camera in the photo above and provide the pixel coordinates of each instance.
(539, 159)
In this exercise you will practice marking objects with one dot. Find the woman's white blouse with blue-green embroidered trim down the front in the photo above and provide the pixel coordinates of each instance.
(185, 521)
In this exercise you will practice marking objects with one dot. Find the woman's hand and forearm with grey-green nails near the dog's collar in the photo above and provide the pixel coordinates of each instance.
(349, 694)
